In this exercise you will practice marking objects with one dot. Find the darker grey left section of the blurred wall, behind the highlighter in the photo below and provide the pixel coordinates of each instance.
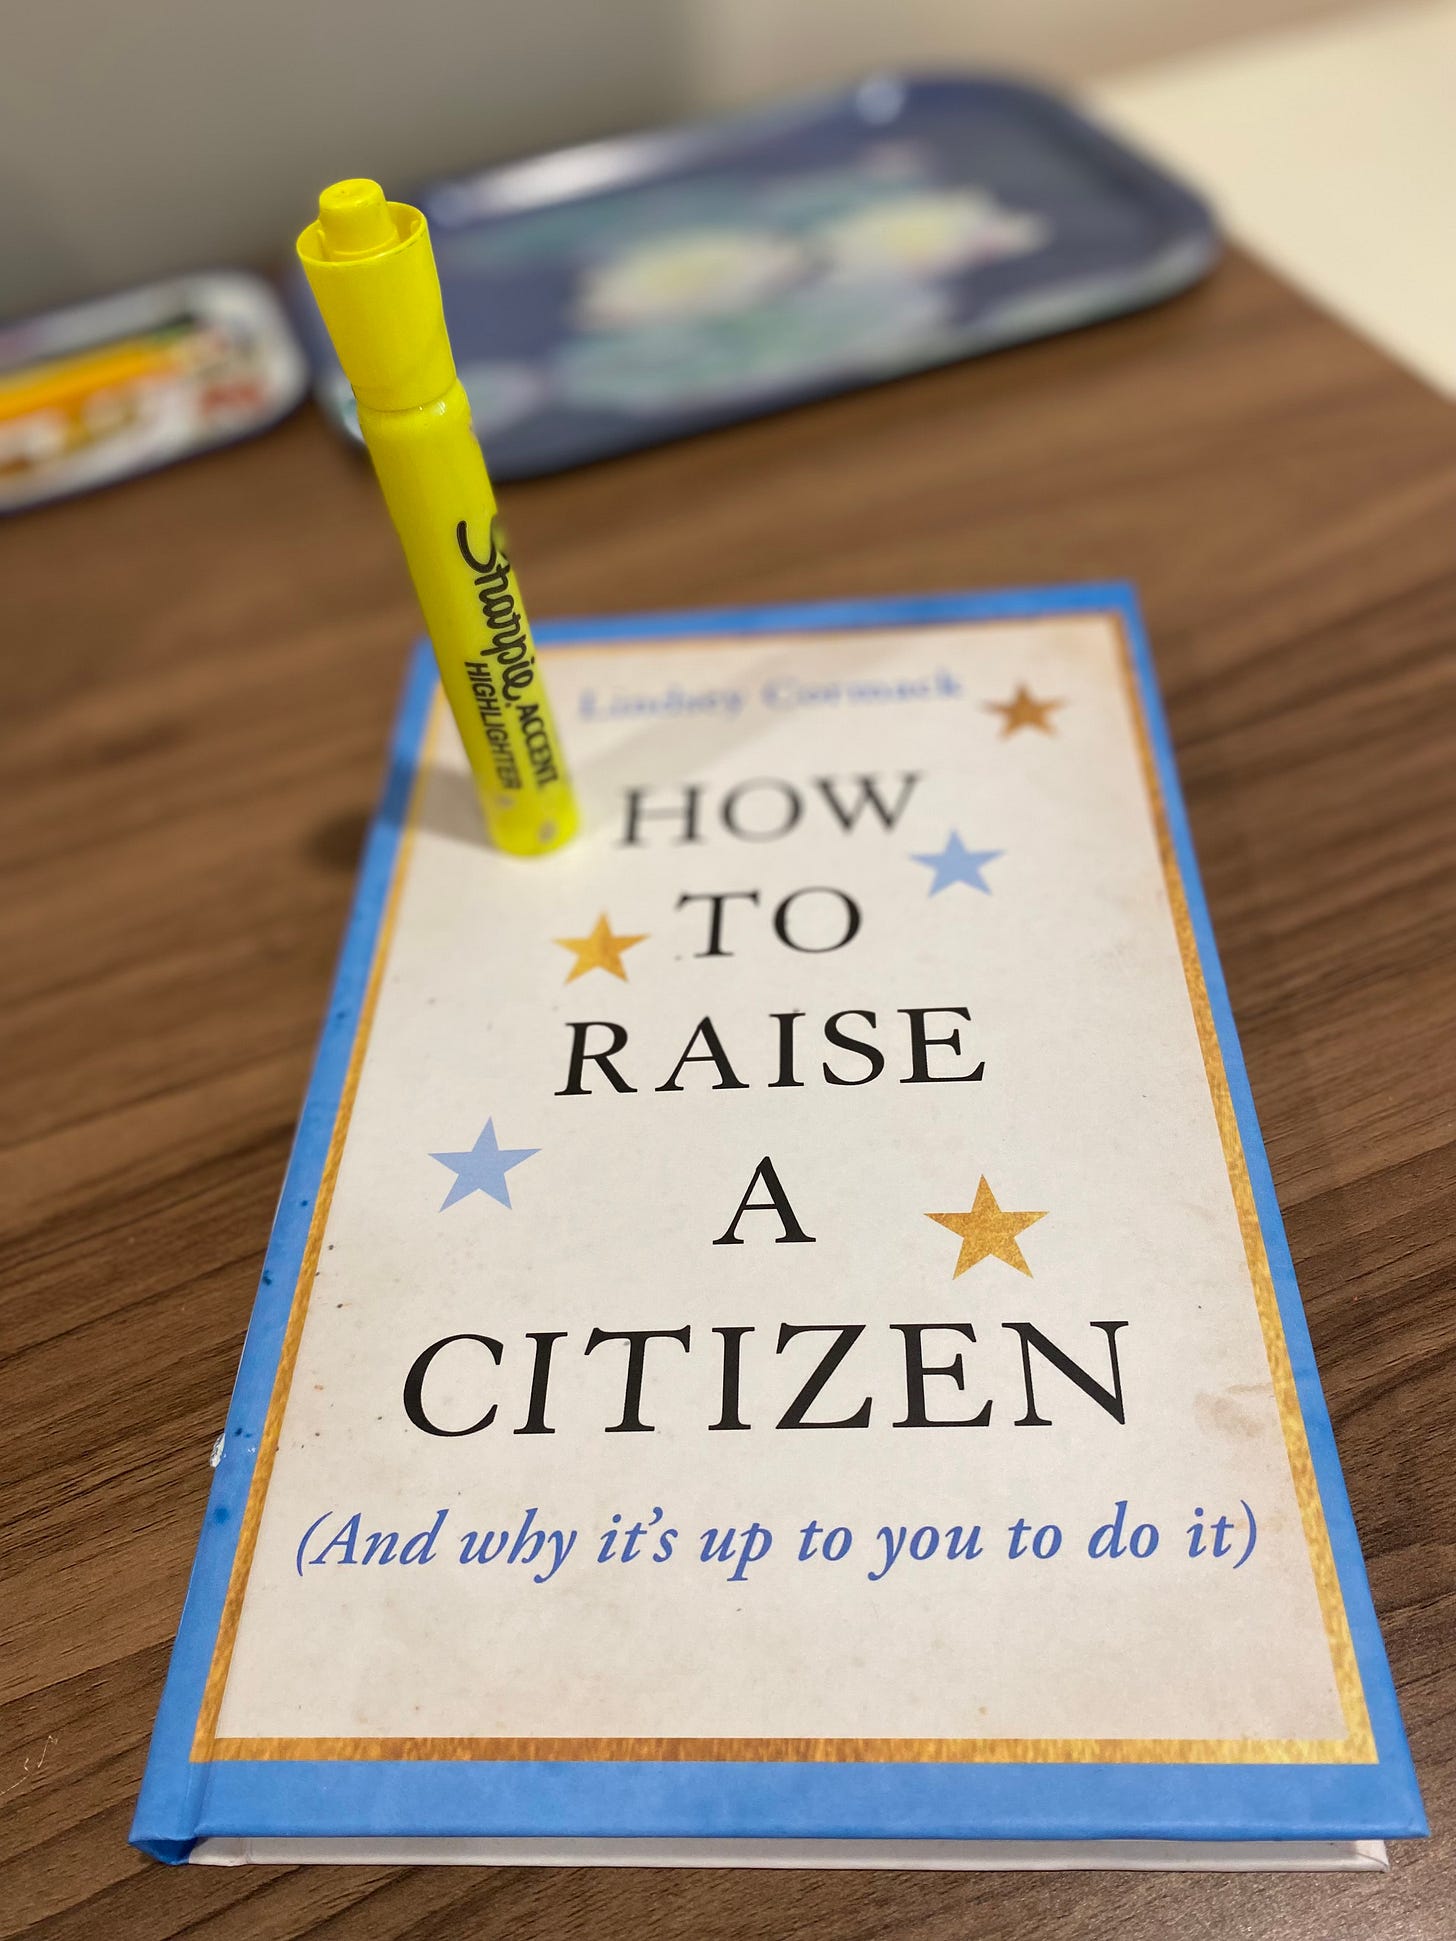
(141, 137)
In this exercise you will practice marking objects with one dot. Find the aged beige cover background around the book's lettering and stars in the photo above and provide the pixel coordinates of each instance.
(1096, 1107)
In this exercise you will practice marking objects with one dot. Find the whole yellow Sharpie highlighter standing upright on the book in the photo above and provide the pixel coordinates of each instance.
(372, 271)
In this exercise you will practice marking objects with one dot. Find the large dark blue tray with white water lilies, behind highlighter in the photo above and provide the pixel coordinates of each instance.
(630, 292)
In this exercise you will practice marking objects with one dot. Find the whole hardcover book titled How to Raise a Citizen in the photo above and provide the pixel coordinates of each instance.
(778, 1344)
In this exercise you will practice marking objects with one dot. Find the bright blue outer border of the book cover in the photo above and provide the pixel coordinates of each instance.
(185, 1800)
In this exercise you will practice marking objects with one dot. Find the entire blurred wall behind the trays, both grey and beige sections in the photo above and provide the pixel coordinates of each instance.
(141, 137)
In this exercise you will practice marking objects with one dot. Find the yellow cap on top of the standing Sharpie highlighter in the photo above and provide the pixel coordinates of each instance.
(374, 277)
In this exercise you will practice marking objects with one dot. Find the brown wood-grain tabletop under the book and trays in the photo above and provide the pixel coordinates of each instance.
(197, 682)
